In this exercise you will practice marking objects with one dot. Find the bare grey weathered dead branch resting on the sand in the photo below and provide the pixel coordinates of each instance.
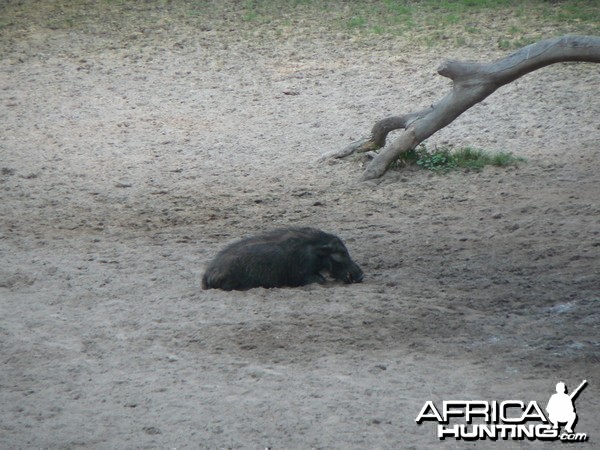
(472, 83)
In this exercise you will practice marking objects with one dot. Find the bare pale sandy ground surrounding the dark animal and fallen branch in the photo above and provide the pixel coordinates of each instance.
(128, 162)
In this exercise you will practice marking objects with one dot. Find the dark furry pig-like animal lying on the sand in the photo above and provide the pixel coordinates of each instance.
(283, 257)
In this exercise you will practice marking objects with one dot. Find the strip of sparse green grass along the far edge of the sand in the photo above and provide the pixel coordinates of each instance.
(507, 24)
